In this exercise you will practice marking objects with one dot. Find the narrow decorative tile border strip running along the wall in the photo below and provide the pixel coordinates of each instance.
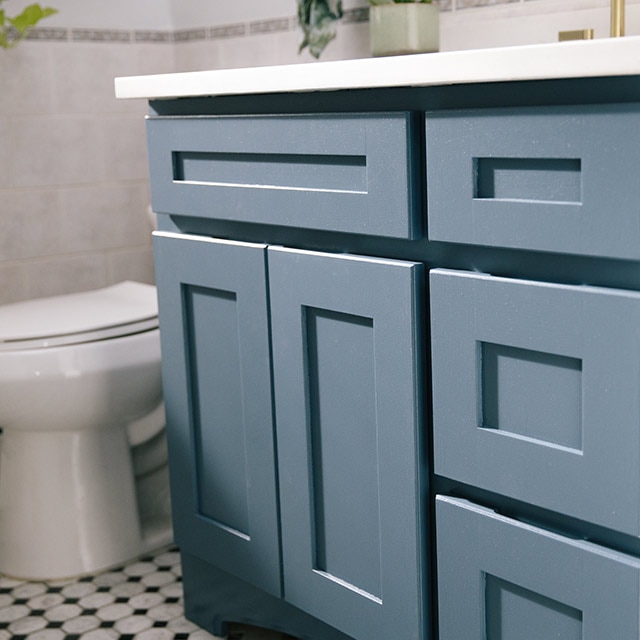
(222, 32)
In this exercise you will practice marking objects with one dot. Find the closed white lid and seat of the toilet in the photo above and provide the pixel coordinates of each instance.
(122, 309)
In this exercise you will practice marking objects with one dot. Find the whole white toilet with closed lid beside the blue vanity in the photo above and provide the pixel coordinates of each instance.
(83, 463)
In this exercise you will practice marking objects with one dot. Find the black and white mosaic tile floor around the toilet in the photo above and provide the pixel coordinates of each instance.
(141, 600)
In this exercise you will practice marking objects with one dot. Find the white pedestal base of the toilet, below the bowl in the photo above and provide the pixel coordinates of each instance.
(68, 504)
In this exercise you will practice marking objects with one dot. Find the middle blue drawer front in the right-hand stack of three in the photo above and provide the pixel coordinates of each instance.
(535, 393)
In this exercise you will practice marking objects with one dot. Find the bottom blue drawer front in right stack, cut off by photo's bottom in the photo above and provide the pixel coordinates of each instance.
(499, 579)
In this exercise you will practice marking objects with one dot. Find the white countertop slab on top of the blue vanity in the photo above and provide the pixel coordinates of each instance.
(577, 59)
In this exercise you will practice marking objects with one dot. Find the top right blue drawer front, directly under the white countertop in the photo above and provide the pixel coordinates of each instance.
(559, 179)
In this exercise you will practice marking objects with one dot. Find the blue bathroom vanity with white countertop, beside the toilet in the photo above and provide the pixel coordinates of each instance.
(400, 316)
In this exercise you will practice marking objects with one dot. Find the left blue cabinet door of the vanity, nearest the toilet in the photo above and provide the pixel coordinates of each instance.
(217, 388)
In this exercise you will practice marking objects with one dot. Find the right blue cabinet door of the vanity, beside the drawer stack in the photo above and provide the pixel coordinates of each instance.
(345, 339)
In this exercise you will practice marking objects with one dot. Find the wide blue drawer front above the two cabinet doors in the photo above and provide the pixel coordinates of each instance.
(353, 174)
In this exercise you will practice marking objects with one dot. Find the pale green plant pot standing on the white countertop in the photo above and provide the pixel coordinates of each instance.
(402, 28)
